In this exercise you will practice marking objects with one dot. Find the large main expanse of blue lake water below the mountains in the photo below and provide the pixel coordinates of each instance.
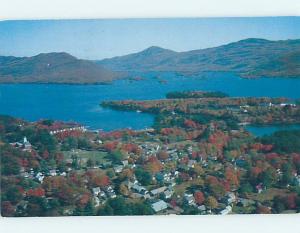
(80, 103)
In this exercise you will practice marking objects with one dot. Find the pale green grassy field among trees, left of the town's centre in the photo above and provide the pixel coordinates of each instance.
(97, 156)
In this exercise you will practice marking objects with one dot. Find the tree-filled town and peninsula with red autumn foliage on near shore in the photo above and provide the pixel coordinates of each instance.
(197, 159)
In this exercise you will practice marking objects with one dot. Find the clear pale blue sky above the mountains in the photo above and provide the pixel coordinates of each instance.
(105, 38)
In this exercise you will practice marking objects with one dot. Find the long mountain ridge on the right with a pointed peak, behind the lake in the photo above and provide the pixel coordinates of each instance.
(249, 58)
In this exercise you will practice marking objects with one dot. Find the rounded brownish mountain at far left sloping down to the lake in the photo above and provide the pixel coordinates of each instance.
(53, 68)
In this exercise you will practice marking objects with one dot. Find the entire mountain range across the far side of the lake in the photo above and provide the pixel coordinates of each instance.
(248, 58)
